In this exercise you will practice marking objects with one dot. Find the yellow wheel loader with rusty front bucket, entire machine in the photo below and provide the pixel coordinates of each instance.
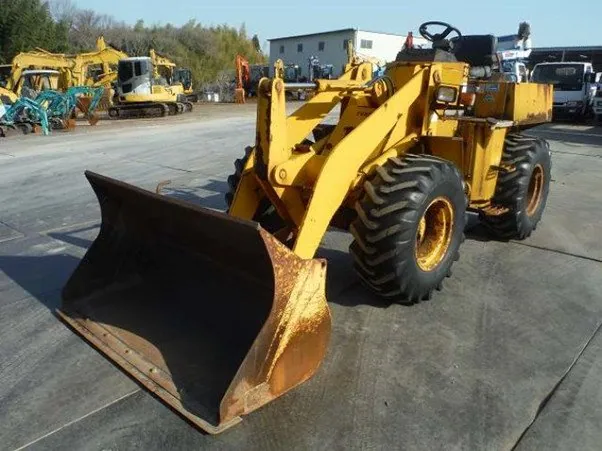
(219, 313)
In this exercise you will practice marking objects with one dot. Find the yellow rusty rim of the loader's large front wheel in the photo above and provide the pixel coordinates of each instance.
(434, 234)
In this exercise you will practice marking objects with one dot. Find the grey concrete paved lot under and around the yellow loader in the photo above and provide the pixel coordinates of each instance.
(507, 356)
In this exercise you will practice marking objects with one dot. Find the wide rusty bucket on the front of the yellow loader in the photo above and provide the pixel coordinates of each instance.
(210, 313)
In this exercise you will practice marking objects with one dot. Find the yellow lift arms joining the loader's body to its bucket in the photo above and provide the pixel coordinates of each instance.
(285, 172)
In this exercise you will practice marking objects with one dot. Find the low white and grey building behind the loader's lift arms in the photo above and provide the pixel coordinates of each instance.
(330, 47)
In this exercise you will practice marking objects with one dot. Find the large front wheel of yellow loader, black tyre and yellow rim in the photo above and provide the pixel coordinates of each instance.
(409, 227)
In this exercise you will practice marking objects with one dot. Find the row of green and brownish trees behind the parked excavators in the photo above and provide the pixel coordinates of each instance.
(208, 51)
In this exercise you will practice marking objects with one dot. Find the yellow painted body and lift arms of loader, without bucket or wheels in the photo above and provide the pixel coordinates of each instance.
(308, 183)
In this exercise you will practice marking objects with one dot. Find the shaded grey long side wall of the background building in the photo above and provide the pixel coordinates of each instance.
(334, 51)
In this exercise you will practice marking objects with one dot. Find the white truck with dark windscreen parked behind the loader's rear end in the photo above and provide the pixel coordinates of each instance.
(574, 87)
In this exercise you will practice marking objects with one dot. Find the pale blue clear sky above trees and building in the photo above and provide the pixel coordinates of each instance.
(553, 22)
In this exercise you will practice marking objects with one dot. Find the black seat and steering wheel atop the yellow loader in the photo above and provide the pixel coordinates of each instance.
(479, 51)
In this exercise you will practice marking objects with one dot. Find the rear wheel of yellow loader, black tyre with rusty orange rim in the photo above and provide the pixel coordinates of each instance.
(522, 191)
